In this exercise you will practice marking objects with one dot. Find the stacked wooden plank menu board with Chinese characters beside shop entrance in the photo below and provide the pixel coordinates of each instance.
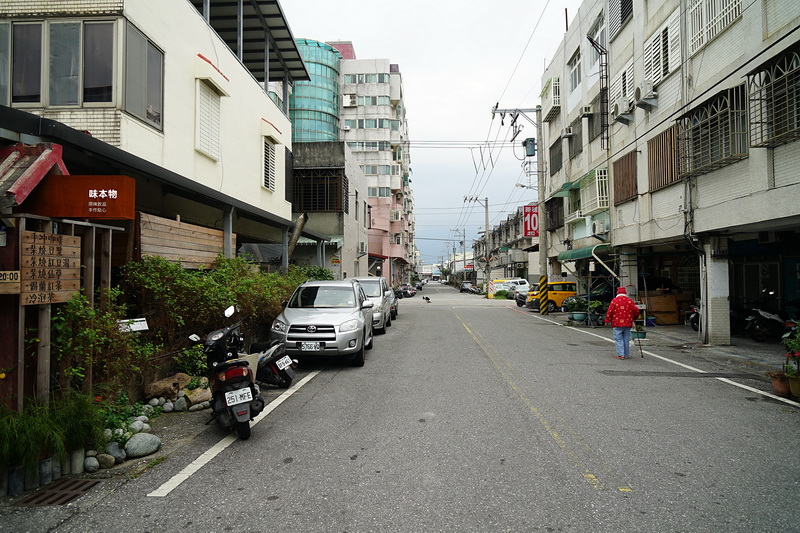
(50, 268)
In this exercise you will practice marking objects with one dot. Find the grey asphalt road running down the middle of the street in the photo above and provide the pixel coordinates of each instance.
(475, 415)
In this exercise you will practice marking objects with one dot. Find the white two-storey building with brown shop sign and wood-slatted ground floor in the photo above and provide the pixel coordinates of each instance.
(169, 102)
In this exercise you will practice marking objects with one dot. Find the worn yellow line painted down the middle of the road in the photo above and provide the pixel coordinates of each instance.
(499, 361)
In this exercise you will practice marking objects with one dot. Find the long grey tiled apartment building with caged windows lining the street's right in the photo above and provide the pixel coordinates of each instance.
(670, 139)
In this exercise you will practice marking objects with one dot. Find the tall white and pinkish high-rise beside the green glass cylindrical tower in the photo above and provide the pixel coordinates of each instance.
(375, 128)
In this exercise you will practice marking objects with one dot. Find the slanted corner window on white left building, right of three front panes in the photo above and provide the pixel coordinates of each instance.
(144, 73)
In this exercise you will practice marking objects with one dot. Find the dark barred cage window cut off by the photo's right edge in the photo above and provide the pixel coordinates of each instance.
(774, 91)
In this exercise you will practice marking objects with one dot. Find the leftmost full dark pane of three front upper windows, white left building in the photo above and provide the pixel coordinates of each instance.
(26, 63)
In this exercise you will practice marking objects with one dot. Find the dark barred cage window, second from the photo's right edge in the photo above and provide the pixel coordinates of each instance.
(714, 134)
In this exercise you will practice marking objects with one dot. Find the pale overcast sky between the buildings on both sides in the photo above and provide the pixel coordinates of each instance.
(458, 59)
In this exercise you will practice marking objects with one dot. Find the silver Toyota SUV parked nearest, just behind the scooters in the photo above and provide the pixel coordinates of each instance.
(326, 318)
